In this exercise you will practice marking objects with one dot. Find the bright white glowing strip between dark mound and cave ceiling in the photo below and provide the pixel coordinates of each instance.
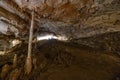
(47, 37)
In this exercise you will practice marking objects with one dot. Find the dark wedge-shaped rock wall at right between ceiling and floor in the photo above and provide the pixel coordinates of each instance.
(108, 42)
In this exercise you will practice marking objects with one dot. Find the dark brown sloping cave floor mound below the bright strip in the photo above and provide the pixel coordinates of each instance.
(56, 60)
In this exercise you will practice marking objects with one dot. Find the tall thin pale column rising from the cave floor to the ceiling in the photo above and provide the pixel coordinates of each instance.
(28, 64)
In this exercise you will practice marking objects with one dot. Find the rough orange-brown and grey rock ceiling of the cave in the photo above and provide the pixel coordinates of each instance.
(70, 18)
